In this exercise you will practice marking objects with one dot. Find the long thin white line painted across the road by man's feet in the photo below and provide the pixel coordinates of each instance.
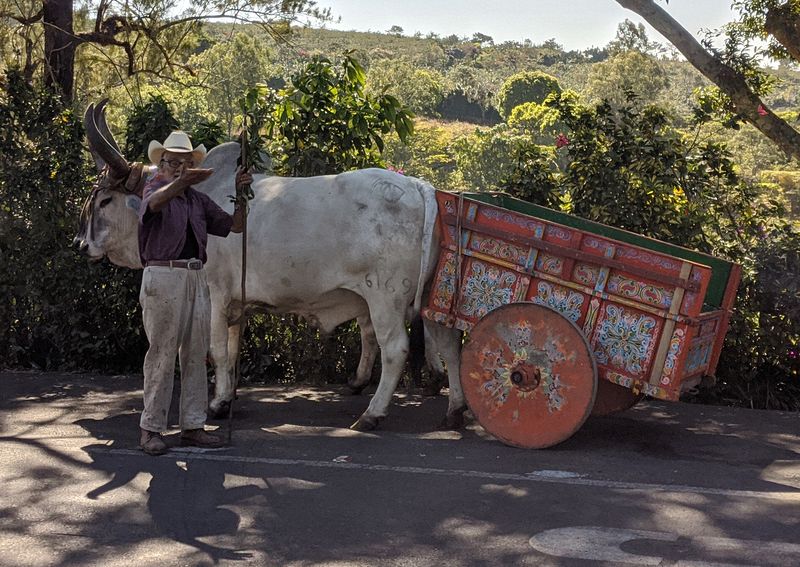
(550, 476)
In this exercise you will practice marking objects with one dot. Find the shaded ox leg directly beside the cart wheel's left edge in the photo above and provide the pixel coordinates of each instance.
(444, 344)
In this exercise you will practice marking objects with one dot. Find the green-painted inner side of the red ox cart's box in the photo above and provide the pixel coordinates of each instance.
(720, 269)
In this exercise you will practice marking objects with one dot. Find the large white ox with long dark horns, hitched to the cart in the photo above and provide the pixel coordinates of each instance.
(359, 245)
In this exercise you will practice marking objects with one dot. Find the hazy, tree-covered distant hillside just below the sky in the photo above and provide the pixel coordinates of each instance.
(469, 71)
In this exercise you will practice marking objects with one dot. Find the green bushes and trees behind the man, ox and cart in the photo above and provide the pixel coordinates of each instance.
(628, 134)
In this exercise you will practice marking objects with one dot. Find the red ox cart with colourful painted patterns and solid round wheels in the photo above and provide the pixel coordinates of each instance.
(567, 317)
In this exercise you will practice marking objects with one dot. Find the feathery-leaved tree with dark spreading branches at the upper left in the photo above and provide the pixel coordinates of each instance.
(138, 36)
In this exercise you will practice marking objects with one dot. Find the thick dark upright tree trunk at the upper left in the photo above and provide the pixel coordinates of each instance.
(59, 46)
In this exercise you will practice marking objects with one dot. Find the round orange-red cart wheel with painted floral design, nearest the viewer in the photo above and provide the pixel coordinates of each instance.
(528, 375)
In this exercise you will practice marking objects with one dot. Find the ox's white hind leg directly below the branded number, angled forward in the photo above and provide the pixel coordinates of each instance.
(390, 331)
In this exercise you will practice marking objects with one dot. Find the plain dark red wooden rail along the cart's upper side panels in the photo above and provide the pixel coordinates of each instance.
(573, 253)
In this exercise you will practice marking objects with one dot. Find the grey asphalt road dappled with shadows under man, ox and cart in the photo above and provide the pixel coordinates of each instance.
(660, 484)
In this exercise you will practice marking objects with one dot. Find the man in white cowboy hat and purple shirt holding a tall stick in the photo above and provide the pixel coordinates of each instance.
(174, 223)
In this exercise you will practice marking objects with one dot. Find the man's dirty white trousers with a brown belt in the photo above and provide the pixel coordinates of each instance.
(176, 309)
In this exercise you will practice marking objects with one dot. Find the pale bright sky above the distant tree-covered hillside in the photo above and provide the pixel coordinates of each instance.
(574, 24)
